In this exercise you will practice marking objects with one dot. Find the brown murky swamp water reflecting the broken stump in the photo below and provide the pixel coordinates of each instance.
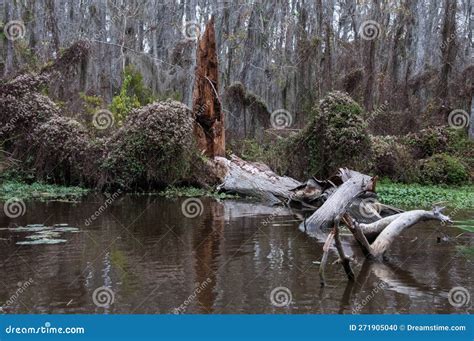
(229, 259)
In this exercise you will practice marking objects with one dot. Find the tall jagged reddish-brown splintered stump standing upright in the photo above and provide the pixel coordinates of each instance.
(207, 109)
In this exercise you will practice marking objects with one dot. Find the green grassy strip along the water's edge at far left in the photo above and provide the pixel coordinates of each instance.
(37, 190)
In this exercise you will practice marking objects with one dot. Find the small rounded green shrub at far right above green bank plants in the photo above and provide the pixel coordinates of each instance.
(443, 168)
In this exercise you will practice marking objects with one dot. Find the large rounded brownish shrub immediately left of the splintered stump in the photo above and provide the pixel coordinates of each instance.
(154, 146)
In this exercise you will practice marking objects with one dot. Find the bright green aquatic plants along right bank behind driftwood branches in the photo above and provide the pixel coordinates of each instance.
(415, 195)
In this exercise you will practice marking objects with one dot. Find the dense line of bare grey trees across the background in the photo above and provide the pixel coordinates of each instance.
(412, 58)
